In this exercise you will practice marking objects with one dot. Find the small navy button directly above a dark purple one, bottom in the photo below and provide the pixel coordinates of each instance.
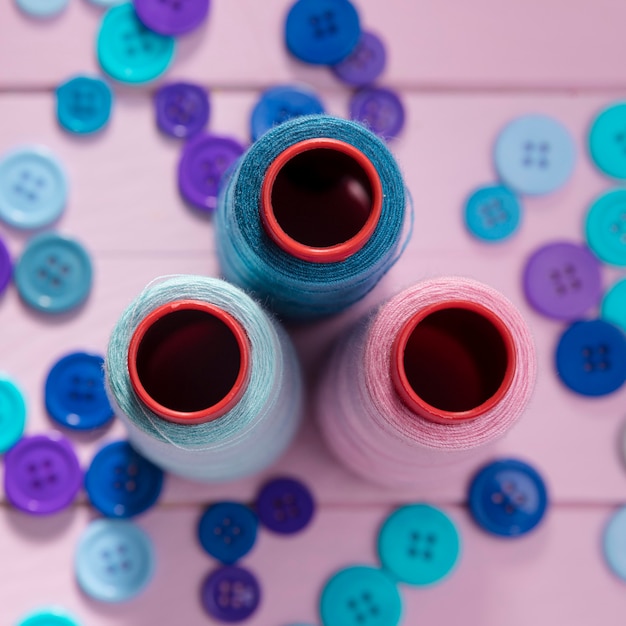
(227, 531)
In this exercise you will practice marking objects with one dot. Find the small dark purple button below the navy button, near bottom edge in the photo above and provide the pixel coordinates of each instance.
(230, 594)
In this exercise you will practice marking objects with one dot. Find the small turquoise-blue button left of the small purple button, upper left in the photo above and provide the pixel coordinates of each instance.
(83, 104)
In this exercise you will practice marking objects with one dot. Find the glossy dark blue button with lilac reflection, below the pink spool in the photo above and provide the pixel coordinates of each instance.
(507, 498)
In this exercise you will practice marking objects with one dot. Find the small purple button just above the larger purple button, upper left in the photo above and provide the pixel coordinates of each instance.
(182, 109)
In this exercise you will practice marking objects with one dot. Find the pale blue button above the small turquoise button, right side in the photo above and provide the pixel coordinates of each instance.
(534, 154)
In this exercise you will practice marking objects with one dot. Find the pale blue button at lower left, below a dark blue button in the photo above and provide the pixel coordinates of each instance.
(114, 560)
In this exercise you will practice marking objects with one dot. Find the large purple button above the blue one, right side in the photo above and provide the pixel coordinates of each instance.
(562, 280)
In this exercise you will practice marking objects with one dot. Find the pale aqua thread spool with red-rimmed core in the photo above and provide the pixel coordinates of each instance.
(207, 384)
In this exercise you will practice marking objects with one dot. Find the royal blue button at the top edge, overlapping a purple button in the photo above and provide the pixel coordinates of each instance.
(322, 32)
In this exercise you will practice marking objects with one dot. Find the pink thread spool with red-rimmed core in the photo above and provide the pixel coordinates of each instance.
(439, 371)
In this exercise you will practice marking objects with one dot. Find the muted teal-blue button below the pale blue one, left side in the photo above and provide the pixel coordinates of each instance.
(53, 274)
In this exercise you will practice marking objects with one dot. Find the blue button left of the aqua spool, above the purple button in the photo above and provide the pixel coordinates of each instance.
(74, 392)
